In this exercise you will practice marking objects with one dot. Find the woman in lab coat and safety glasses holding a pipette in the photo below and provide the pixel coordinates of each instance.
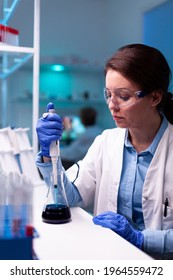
(127, 172)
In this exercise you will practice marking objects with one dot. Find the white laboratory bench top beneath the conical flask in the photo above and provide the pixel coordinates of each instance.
(79, 239)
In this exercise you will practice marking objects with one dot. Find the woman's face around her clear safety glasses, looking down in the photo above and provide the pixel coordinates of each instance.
(136, 115)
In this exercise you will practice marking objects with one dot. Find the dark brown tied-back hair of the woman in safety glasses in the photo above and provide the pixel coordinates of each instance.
(147, 67)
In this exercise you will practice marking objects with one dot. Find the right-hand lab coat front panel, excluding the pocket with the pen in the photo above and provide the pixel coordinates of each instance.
(157, 183)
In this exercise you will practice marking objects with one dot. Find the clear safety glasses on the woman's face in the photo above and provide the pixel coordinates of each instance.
(123, 97)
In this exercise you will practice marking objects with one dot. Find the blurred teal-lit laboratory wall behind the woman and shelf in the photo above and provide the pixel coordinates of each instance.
(76, 38)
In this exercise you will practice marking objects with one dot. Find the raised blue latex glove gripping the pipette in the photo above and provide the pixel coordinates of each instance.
(49, 128)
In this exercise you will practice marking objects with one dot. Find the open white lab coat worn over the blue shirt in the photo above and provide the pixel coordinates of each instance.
(99, 176)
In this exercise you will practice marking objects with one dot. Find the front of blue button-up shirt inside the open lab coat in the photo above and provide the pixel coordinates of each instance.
(134, 170)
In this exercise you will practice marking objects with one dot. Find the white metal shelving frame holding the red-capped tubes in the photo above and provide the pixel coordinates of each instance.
(13, 57)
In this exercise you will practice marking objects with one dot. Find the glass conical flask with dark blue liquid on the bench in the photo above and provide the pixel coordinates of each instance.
(56, 209)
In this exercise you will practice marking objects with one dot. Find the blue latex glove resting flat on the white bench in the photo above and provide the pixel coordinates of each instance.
(121, 226)
